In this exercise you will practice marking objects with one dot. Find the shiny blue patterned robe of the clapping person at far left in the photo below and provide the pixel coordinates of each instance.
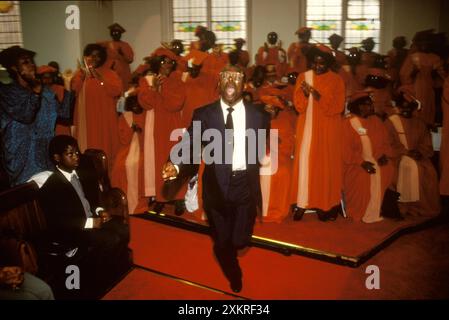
(27, 124)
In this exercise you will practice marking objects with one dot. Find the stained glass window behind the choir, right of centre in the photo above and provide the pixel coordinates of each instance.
(355, 20)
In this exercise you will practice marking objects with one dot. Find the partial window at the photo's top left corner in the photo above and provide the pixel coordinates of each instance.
(10, 26)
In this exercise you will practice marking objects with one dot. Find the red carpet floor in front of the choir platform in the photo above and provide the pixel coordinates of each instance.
(413, 267)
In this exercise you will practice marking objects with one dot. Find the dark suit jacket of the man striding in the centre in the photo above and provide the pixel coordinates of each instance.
(216, 177)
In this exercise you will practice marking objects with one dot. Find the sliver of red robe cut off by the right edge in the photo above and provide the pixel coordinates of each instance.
(444, 152)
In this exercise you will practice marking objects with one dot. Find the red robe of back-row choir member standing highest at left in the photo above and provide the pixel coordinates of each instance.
(120, 56)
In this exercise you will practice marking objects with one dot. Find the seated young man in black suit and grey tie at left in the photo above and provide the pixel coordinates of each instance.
(70, 201)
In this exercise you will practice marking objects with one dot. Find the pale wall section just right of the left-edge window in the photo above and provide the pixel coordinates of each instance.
(43, 25)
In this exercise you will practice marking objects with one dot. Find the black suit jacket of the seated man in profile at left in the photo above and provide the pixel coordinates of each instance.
(62, 207)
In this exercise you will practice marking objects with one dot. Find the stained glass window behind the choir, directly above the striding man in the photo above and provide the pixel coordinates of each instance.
(226, 18)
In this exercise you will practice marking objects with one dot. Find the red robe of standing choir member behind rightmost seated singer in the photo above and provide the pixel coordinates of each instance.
(422, 65)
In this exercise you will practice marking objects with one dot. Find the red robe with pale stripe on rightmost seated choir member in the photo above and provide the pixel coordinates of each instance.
(417, 181)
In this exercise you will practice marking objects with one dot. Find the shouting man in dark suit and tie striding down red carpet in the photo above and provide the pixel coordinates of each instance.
(232, 195)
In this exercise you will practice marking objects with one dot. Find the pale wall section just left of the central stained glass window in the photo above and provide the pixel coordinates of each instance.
(142, 20)
